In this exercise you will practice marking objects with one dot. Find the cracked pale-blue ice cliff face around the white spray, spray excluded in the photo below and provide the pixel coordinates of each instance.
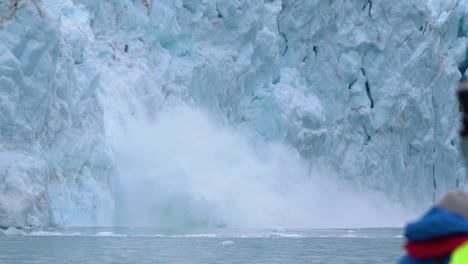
(363, 87)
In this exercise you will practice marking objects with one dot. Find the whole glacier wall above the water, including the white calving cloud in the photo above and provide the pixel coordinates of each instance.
(108, 104)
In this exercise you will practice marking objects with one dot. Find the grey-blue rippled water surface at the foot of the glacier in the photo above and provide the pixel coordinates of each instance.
(253, 246)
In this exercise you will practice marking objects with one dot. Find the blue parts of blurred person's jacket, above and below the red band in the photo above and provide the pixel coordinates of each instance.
(436, 223)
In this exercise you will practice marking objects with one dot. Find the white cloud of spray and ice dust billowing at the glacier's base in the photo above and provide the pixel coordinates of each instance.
(185, 170)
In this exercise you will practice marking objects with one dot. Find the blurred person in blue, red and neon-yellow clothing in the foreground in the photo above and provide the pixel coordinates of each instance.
(441, 235)
